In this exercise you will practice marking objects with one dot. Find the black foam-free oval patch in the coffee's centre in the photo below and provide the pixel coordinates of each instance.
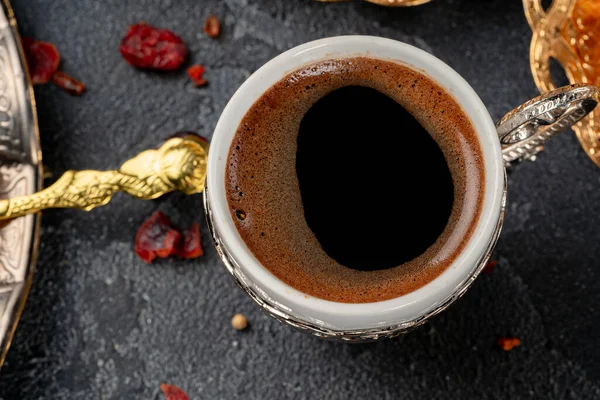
(365, 164)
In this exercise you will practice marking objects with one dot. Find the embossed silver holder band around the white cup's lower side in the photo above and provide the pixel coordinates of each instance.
(284, 315)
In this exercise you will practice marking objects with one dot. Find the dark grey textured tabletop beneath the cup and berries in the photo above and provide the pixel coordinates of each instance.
(100, 324)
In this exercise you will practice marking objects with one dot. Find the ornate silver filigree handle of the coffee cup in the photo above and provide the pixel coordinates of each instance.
(524, 130)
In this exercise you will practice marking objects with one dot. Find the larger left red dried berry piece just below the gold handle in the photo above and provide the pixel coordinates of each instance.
(156, 238)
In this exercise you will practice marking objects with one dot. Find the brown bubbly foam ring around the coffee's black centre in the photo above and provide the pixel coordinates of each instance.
(263, 186)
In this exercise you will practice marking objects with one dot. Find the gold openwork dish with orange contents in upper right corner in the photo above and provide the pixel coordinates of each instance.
(568, 31)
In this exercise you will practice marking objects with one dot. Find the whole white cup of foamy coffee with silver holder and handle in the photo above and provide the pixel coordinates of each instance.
(356, 185)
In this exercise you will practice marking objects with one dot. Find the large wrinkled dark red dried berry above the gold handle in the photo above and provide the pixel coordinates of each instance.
(145, 46)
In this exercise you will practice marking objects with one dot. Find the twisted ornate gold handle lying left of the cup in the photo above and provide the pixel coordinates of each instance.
(179, 164)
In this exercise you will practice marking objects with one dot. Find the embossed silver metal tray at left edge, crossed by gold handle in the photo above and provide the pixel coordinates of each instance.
(20, 174)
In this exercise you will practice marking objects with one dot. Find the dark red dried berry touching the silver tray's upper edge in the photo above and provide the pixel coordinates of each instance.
(43, 60)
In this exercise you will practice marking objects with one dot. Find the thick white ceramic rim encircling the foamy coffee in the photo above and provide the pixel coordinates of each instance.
(337, 316)
